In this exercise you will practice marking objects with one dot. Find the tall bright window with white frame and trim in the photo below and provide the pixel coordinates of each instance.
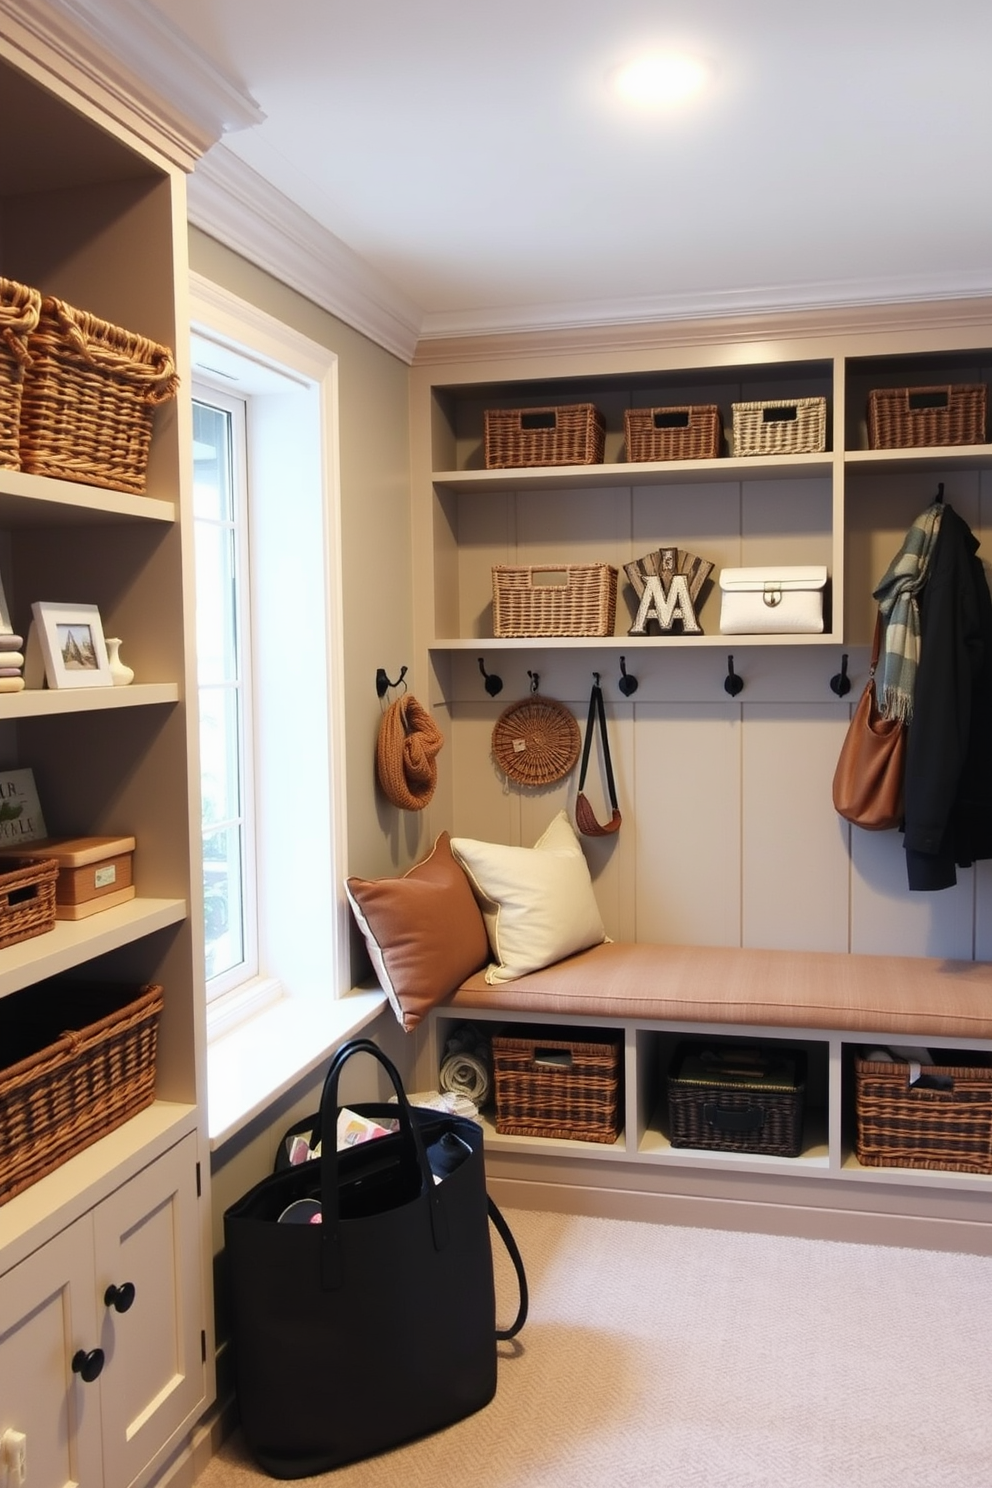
(270, 670)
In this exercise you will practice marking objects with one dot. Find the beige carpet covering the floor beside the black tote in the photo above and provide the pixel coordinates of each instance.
(698, 1359)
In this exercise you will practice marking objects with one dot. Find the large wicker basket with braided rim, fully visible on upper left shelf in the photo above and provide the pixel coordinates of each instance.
(90, 400)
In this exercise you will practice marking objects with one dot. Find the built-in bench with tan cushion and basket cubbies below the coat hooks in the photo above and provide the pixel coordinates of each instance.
(828, 1004)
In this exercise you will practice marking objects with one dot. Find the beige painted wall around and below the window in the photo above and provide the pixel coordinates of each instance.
(376, 505)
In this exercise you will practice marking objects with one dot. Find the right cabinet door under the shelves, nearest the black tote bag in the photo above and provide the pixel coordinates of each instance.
(148, 1237)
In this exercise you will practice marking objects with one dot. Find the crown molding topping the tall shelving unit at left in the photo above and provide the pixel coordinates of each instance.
(126, 57)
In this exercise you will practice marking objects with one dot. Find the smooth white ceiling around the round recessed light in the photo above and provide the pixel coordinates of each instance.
(474, 158)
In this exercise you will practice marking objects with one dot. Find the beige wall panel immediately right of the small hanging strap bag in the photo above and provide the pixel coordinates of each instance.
(686, 819)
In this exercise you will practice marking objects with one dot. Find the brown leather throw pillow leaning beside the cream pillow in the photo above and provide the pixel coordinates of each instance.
(425, 932)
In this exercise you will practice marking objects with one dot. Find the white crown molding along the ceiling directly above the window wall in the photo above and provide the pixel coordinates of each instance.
(230, 202)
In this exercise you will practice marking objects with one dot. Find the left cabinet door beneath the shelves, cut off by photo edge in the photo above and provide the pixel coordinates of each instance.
(47, 1315)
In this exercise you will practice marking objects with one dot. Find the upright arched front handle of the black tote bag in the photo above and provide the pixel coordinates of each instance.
(332, 1274)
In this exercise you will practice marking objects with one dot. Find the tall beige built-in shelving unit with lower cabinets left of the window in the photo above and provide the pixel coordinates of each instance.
(93, 214)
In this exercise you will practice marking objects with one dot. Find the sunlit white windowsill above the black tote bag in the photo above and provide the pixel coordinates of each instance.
(264, 1057)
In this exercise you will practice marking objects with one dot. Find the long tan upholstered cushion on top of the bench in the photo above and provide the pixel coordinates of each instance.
(874, 995)
